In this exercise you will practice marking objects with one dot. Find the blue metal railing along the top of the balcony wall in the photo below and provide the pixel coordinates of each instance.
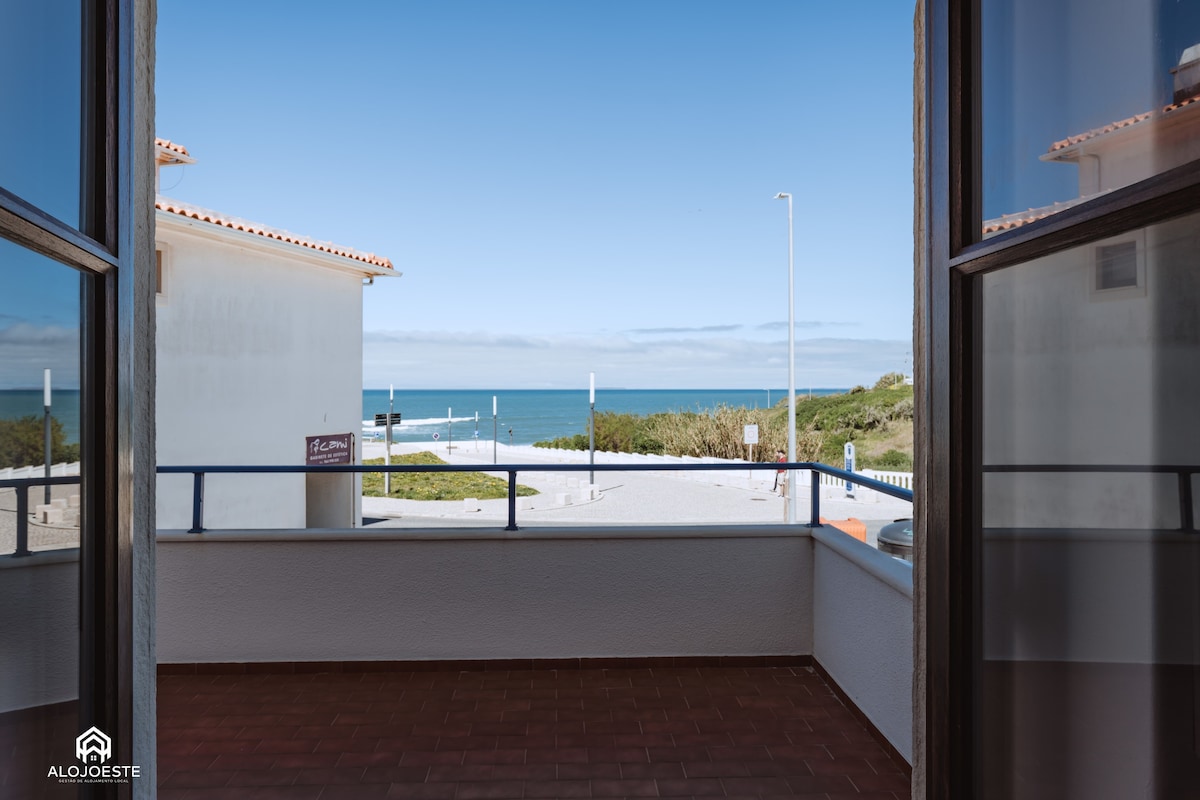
(513, 471)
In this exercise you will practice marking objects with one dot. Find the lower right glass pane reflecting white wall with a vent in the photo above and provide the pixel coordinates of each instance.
(1091, 557)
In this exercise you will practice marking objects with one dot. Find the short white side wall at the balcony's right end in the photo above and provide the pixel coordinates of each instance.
(862, 630)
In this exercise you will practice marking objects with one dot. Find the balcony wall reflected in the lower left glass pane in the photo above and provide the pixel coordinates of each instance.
(39, 629)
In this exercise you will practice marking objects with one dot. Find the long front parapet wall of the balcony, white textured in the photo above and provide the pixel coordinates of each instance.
(449, 596)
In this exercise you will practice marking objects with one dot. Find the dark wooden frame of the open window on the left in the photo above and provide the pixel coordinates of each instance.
(110, 262)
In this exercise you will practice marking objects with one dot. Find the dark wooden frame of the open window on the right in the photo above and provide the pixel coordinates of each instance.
(953, 256)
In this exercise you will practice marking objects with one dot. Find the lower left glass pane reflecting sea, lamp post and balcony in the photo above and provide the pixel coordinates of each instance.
(40, 314)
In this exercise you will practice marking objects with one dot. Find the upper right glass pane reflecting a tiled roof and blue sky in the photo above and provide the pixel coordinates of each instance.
(1081, 98)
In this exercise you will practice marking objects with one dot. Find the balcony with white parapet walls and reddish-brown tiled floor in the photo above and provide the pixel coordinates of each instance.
(721, 660)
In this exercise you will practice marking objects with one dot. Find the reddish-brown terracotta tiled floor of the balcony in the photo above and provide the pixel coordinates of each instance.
(545, 733)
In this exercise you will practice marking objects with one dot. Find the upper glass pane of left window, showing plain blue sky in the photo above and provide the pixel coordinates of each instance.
(41, 103)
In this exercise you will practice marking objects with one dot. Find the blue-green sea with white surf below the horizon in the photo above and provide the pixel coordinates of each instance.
(525, 417)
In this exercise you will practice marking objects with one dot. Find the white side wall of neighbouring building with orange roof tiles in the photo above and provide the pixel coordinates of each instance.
(257, 348)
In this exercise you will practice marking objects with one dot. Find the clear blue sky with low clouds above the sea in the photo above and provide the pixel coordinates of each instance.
(572, 187)
